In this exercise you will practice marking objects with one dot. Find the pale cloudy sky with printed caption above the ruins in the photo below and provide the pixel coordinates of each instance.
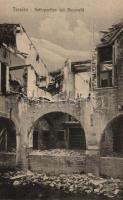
(63, 34)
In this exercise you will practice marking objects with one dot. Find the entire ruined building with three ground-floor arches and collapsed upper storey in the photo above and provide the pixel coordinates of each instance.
(80, 115)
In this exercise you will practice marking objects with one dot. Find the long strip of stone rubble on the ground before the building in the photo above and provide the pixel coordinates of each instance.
(71, 184)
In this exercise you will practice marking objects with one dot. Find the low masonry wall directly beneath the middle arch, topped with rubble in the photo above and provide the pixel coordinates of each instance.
(57, 164)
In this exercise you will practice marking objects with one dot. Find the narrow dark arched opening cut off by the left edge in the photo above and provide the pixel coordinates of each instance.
(7, 135)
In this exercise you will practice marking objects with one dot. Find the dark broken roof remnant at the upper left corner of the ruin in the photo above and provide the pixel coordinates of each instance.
(8, 33)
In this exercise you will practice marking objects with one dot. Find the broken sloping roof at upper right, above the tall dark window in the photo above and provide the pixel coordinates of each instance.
(111, 34)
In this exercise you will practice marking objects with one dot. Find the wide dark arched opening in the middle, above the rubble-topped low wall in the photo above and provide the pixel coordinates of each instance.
(58, 130)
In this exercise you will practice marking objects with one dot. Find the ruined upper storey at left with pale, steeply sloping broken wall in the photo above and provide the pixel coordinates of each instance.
(21, 68)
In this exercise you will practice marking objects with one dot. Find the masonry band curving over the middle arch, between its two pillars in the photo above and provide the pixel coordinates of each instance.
(44, 108)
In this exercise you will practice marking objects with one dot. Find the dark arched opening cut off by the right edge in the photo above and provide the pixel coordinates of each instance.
(112, 138)
